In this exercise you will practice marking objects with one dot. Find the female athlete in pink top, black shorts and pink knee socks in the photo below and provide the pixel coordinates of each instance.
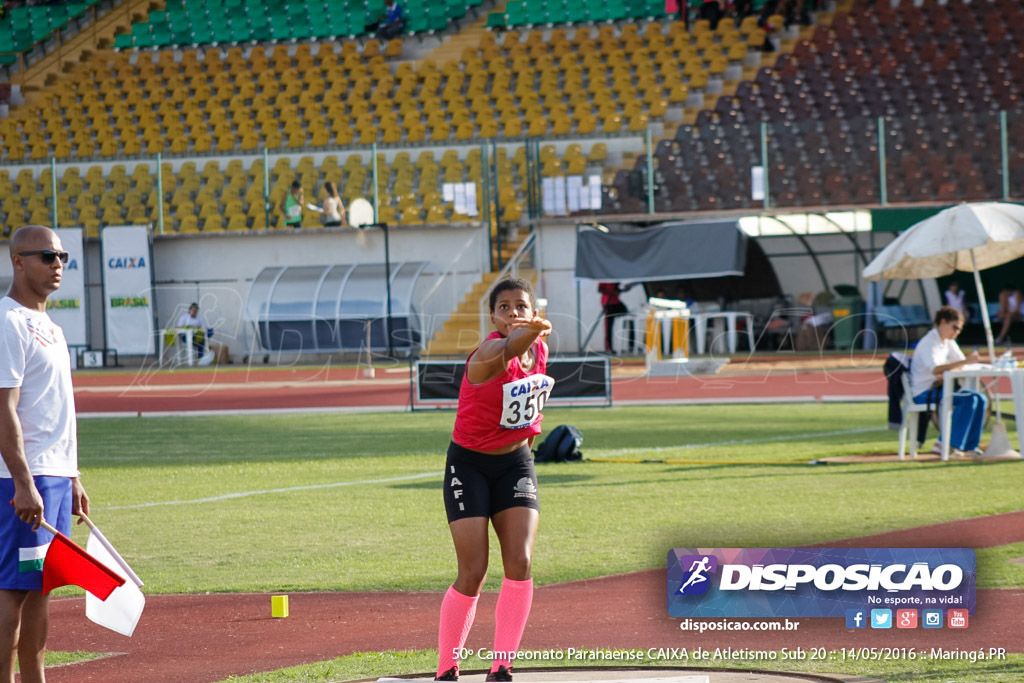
(490, 476)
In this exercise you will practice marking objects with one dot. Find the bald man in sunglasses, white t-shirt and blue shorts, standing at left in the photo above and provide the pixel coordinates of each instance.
(39, 447)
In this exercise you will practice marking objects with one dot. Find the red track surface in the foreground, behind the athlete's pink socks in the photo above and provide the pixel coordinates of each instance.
(205, 638)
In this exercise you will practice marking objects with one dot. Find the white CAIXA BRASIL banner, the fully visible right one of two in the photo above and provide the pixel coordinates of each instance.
(129, 289)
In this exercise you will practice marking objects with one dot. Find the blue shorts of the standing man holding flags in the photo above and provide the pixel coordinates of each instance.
(22, 550)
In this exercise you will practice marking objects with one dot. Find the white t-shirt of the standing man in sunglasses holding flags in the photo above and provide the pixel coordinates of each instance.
(34, 357)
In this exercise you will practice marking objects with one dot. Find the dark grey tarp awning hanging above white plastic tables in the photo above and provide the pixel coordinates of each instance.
(670, 251)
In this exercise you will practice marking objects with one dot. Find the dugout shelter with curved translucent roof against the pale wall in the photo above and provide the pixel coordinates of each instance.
(325, 309)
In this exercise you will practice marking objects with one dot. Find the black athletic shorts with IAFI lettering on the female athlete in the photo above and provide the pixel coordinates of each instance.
(481, 486)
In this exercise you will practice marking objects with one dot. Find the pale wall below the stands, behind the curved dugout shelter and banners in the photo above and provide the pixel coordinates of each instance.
(218, 270)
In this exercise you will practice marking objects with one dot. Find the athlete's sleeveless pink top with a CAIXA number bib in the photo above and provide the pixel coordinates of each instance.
(506, 409)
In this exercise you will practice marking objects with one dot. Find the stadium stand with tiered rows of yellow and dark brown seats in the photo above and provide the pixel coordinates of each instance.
(578, 88)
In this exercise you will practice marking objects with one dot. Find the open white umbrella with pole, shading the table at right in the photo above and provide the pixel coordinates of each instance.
(968, 238)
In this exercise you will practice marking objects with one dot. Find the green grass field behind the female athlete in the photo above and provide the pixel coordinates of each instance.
(320, 502)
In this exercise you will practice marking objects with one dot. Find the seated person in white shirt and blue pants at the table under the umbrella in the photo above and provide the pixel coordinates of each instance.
(936, 353)
